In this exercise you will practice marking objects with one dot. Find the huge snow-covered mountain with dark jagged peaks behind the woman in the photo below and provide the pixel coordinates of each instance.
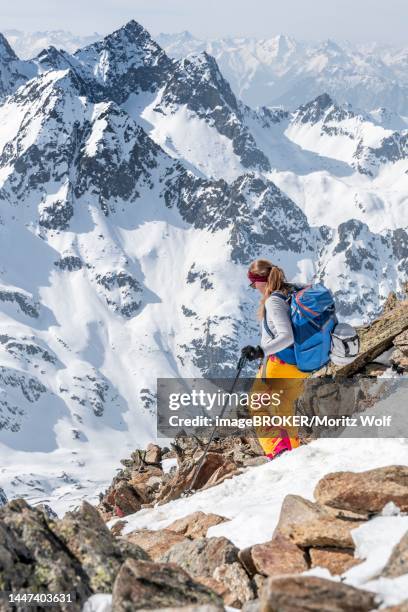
(134, 191)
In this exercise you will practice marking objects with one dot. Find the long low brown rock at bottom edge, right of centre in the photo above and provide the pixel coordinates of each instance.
(303, 593)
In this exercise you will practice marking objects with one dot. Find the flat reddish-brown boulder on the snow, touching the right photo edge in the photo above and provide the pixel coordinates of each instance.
(365, 491)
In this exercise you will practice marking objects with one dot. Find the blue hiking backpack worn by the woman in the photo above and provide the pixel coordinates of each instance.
(313, 317)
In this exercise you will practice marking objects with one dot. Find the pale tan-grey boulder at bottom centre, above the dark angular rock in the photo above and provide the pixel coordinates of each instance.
(202, 556)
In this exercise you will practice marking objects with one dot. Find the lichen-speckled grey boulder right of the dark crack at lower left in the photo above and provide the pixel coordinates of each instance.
(101, 555)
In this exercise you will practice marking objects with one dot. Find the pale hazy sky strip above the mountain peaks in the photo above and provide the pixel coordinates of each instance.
(383, 21)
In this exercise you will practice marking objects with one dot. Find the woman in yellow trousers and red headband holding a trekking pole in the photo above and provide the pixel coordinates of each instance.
(276, 350)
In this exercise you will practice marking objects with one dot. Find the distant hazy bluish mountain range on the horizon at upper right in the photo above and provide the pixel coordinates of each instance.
(282, 70)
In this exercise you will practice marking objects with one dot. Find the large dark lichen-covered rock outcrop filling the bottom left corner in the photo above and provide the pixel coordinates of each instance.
(76, 555)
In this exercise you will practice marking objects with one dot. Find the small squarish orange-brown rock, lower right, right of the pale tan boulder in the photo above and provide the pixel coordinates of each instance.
(279, 556)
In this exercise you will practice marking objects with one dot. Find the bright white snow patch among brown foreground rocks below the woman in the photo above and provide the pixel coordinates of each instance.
(252, 502)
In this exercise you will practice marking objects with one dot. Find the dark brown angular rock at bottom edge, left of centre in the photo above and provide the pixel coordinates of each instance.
(142, 584)
